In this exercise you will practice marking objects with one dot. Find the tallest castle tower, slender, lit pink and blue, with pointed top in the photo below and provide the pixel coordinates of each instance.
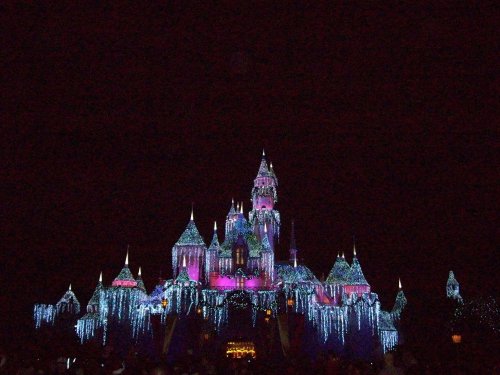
(264, 197)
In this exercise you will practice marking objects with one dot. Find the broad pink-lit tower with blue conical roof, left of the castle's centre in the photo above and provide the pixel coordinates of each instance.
(191, 245)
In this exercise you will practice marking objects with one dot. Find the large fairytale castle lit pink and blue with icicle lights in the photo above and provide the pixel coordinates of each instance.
(241, 273)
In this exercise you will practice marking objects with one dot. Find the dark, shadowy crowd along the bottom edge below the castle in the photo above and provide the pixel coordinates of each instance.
(97, 360)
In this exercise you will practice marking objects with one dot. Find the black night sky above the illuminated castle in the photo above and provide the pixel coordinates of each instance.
(379, 122)
